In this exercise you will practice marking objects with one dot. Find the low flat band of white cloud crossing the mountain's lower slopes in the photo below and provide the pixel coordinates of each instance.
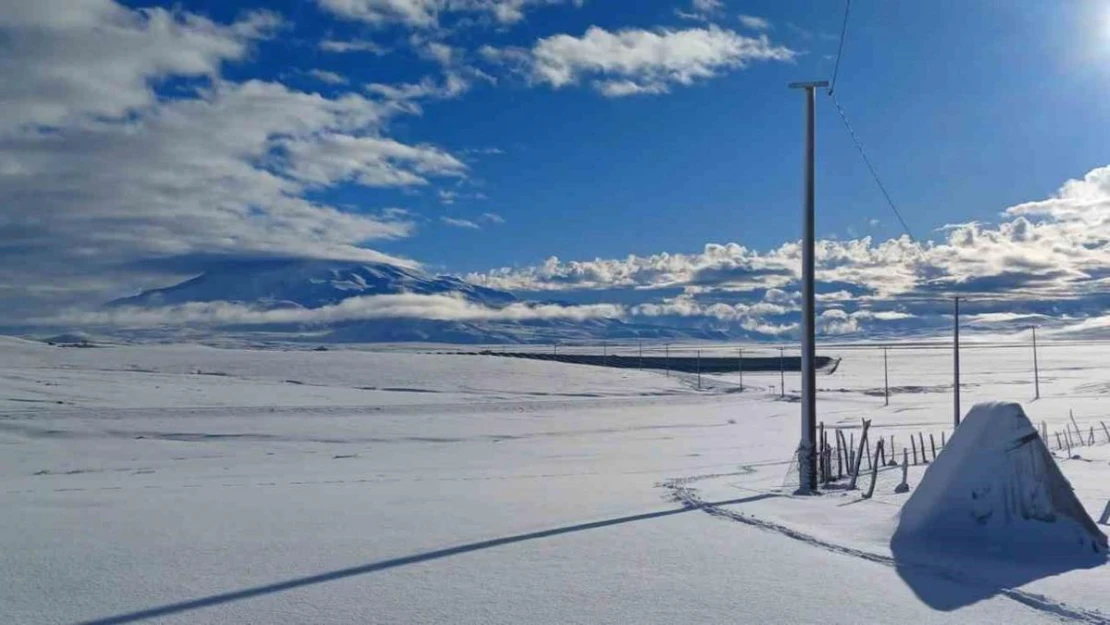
(407, 306)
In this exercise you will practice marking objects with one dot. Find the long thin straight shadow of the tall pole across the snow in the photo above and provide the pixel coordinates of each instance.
(362, 570)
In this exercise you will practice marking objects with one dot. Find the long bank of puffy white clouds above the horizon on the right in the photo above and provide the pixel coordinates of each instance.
(1046, 258)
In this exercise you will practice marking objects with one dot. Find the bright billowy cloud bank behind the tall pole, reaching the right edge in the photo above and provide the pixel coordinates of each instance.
(1054, 250)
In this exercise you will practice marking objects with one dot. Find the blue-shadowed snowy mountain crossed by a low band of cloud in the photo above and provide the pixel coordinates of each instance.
(314, 285)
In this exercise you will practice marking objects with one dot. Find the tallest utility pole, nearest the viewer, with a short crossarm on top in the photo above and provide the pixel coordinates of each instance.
(808, 462)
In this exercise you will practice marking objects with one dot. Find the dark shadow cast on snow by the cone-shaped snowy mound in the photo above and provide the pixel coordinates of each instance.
(931, 573)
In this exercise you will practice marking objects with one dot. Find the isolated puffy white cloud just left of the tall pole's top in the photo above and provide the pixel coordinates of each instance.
(640, 62)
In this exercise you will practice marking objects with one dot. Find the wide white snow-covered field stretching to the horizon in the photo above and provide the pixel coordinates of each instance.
(188, 485)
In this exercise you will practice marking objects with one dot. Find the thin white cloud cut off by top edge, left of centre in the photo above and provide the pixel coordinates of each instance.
(428, 14)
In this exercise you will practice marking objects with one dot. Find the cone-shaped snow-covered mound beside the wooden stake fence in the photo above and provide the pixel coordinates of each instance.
(996, 488)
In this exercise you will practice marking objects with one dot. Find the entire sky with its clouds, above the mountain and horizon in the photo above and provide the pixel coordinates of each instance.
(485, 137)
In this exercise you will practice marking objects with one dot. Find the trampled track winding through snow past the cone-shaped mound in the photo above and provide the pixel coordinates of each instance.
(683, 493)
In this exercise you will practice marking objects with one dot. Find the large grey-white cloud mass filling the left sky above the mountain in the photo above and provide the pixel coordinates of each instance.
(110, 187)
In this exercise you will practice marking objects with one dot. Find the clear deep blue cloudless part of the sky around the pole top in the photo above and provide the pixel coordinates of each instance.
(967, 108)
